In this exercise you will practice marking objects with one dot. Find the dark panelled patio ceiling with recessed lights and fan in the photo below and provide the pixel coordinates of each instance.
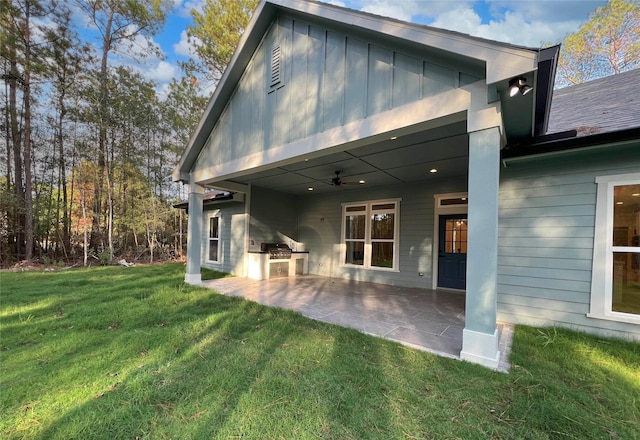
(406, 159)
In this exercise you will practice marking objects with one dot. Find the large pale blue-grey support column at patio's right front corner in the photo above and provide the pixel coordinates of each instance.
(480, 335)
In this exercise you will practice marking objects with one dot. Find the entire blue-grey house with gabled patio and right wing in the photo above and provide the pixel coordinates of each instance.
(384, 151)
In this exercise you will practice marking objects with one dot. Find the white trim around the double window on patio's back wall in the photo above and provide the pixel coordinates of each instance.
(367, 235)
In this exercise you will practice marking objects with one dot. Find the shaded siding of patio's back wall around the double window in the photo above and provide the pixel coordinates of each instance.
(320, 218)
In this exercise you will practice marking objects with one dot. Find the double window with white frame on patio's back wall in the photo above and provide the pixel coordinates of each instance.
(370, 234)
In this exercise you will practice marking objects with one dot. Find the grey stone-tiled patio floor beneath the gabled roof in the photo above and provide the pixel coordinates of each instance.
(424, 319)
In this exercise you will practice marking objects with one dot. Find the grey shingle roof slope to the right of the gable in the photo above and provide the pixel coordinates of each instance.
(600, 106)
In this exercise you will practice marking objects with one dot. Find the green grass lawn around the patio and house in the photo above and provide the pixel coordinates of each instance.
(133, 353)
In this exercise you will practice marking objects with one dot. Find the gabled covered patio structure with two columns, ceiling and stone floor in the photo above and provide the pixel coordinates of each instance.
(334, 128)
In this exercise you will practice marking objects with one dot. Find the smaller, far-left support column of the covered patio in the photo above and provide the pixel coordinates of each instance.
(194, 234)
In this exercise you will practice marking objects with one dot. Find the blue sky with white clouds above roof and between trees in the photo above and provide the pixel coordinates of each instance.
(523, 22)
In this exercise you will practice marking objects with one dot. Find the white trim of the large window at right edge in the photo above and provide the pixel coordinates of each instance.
(603, 249)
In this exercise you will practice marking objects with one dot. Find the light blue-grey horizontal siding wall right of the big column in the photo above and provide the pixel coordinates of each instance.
(546, 238)
